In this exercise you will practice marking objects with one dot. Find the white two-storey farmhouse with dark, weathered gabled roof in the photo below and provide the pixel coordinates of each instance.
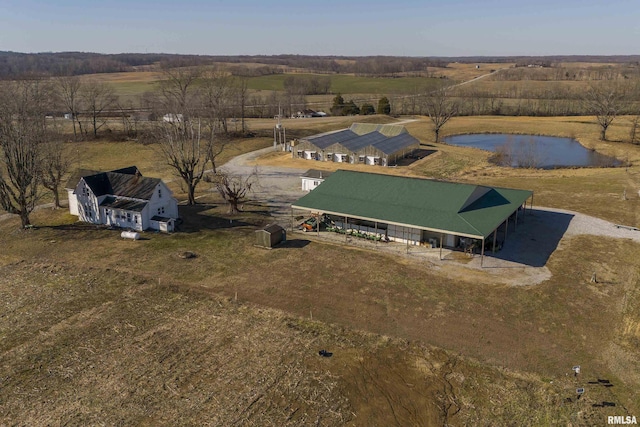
(122, 198)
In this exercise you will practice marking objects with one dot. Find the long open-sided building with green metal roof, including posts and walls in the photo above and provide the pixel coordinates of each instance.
(415, 210)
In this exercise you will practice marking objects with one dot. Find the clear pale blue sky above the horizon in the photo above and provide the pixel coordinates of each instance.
(329, 27)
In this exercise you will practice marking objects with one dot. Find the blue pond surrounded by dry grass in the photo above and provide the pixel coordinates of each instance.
(533, 151)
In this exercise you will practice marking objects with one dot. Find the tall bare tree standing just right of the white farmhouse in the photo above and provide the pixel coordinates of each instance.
(186, 152)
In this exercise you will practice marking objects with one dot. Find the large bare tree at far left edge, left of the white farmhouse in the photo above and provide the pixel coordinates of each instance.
(22, 133)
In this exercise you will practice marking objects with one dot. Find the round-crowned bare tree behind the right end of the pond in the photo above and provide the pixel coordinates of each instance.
(605, 102)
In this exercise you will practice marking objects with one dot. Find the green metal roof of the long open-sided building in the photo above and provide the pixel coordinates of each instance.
(461, 209)
